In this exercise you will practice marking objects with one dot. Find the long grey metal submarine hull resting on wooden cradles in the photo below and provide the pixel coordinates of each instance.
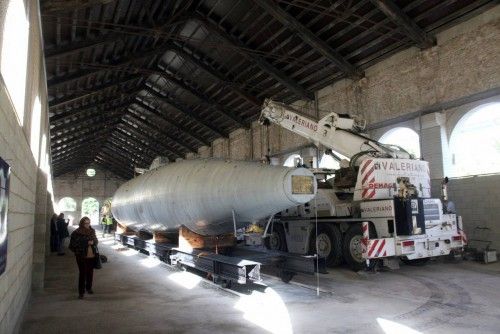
(203, 195)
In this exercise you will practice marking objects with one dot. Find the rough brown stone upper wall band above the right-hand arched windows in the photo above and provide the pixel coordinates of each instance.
(464, 61)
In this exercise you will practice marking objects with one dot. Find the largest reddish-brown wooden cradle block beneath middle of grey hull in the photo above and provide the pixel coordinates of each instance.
(191, 240)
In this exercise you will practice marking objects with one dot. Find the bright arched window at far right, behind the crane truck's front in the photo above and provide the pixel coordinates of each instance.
(475, 142)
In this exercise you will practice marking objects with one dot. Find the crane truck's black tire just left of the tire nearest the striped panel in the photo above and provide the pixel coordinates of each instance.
(330, 244)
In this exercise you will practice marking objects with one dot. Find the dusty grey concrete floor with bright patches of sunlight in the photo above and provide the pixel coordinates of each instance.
(137, 294)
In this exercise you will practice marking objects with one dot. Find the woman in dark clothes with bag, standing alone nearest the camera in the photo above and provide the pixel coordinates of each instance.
(82, 240)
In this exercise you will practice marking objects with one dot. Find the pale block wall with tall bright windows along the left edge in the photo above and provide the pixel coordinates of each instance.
(30, 203)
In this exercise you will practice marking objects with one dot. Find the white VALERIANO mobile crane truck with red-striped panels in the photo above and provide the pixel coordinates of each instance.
(378, 205)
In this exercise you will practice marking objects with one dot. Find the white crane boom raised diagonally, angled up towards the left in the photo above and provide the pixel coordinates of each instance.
(339, 133)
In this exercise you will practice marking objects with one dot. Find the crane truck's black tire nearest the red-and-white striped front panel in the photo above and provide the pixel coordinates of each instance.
(352, 251)
